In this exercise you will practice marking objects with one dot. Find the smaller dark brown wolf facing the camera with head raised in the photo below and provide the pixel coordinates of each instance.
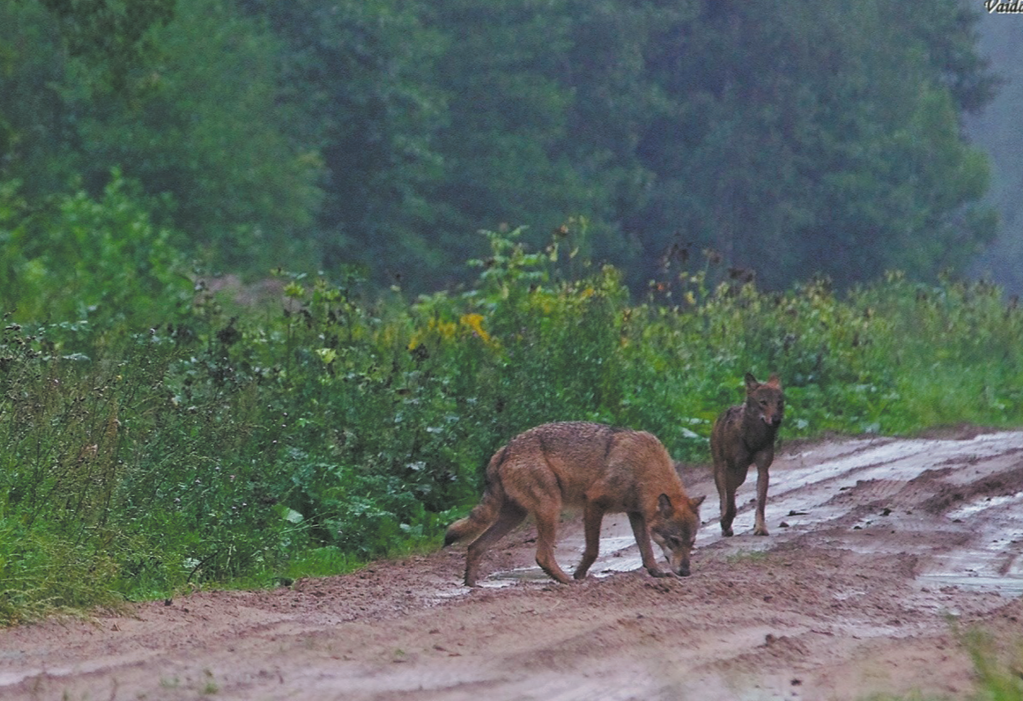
(743, 435)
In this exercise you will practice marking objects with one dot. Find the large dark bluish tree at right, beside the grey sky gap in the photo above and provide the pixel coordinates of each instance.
(815, 139)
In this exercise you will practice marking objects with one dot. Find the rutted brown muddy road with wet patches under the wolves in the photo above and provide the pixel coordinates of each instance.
(882, 553)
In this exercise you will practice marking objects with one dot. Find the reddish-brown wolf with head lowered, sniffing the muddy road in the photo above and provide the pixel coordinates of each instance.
(597, 467)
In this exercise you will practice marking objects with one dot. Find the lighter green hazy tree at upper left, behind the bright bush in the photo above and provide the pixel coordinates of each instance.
(212, 132)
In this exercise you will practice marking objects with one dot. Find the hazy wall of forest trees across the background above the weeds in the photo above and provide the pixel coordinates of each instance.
(793, 138)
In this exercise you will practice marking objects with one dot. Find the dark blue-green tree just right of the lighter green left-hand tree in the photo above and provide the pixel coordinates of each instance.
(363, 72)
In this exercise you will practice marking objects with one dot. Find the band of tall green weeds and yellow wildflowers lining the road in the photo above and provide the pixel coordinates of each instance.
(235, 445)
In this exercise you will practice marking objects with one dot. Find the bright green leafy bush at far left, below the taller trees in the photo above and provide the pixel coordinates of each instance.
(83, 259)
